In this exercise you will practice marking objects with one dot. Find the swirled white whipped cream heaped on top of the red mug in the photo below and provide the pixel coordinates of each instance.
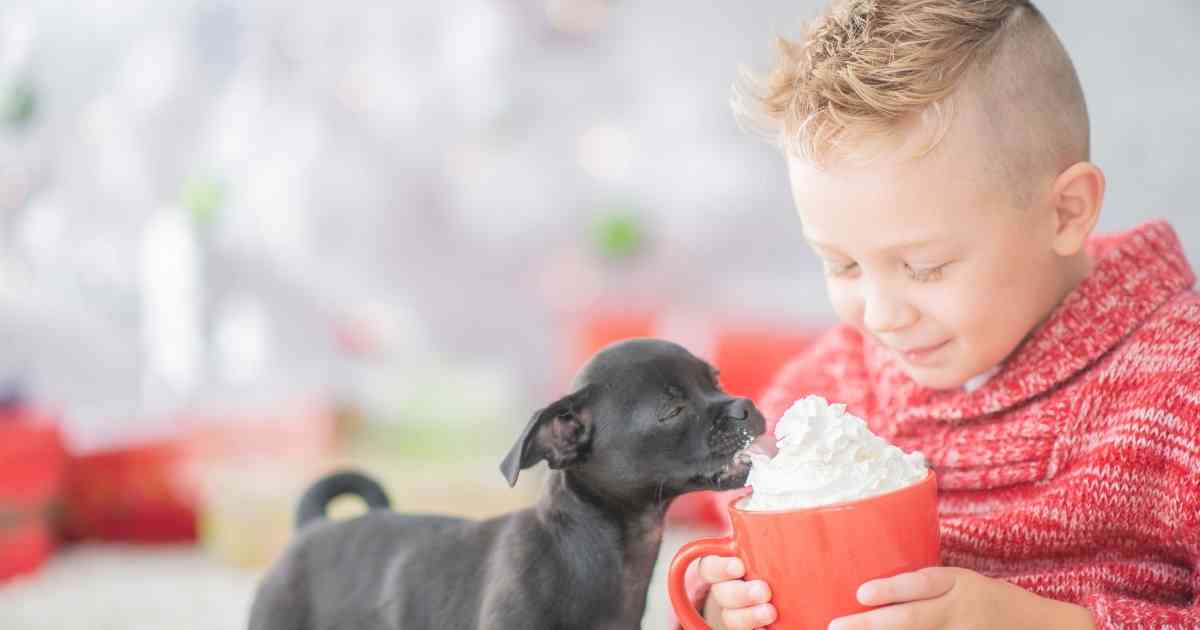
(826, 457)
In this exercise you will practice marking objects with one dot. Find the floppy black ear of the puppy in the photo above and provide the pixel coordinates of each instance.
(561, 434)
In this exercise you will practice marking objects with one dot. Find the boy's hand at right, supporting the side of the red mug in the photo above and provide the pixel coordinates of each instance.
(943, 597)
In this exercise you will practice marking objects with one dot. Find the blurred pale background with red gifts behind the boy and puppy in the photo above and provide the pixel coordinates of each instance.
(244, 243)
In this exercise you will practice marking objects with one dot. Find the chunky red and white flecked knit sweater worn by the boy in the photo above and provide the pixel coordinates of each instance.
(1075, 472)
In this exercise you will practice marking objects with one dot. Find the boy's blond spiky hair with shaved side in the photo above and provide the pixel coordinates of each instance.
(867, 67)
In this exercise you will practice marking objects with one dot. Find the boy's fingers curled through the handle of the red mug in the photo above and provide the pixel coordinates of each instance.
(742, 605)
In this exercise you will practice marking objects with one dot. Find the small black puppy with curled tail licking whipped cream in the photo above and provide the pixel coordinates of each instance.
(646, 422)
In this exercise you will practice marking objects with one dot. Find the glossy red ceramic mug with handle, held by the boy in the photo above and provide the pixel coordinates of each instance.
(815, 559)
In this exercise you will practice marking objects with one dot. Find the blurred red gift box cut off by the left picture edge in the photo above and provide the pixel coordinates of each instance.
(33, 461)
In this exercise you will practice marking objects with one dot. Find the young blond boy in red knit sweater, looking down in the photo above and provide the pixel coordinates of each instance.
(939, 158)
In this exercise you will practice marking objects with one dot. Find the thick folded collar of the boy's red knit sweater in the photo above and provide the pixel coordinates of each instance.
(1135, 274)
